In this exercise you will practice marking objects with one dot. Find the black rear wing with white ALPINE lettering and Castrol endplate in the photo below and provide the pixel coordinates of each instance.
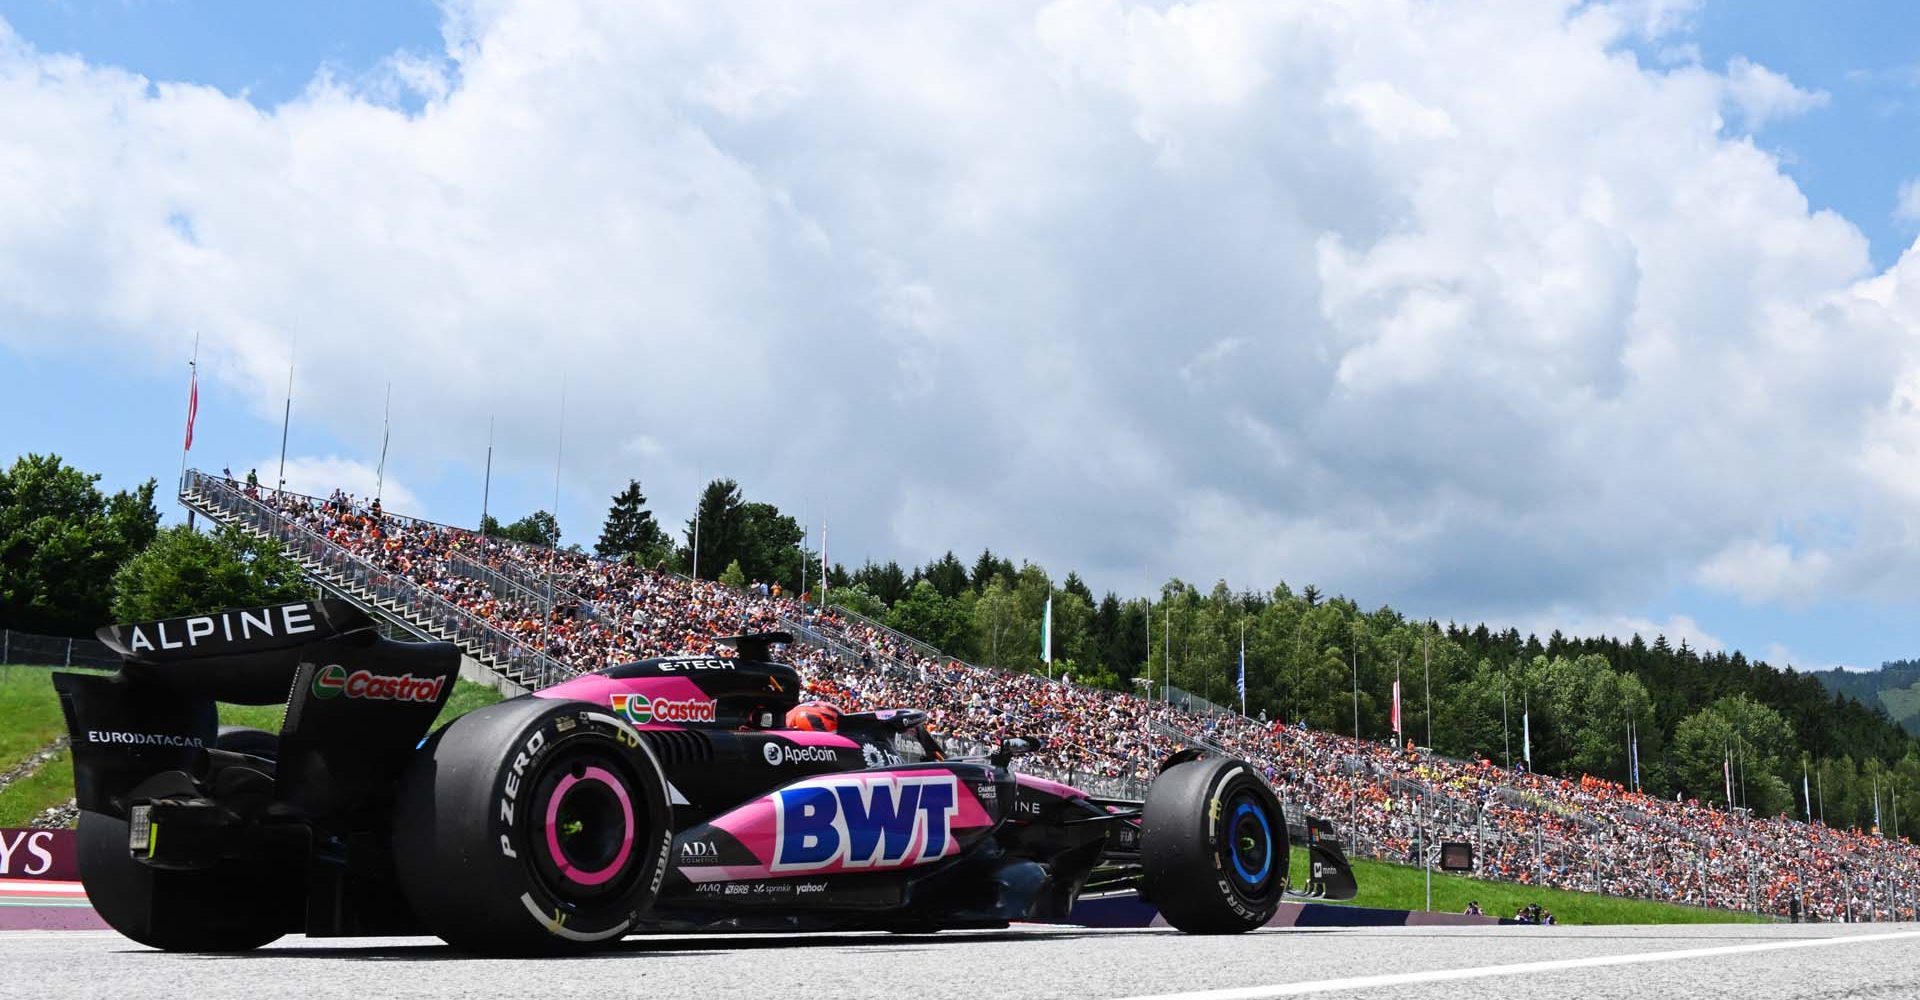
(356, 703)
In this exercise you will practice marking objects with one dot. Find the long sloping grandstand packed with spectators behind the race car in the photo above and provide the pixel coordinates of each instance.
(533, 617)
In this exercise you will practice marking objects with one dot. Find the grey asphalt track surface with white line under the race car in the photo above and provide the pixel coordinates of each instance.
(1362, 964)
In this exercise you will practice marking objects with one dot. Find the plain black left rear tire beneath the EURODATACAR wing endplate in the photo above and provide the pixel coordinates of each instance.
(235, 907)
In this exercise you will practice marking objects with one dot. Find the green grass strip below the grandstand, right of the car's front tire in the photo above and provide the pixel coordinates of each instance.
(1403, 888)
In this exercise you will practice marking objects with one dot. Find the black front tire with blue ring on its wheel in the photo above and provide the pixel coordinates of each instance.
(1214, 847)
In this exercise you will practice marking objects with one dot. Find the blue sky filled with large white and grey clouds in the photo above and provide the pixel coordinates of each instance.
(1583, 316)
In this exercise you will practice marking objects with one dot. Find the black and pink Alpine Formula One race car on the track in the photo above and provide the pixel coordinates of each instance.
(660, 796)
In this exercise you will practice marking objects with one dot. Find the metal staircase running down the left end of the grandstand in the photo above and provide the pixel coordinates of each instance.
(383, 594)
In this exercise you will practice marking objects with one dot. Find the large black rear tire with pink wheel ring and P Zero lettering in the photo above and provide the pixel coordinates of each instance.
(533, 826)
